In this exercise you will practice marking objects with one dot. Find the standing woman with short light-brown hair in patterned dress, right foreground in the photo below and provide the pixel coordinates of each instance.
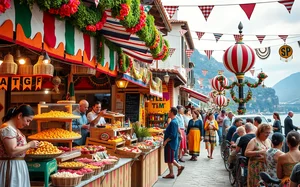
(256, 152)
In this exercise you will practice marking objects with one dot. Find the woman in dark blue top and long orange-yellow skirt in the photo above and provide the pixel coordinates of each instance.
(195, 135)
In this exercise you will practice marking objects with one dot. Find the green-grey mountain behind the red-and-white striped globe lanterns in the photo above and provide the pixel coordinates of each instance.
(263, 99)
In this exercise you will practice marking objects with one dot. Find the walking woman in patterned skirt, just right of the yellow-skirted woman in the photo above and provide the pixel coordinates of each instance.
(210, 127)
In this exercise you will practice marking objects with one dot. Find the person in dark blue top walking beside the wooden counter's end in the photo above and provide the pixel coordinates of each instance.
(171, 144)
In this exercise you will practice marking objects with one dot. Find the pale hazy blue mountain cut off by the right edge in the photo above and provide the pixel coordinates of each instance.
(287, 89)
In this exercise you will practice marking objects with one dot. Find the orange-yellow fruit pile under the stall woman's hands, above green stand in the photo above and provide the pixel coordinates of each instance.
(44, 149)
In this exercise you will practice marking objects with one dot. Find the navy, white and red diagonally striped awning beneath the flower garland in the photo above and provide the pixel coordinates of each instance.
(130, 43)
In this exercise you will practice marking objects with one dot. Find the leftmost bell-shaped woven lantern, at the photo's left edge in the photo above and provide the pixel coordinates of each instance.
(8, 67)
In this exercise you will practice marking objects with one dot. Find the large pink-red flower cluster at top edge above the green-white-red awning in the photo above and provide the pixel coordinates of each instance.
(66, 10)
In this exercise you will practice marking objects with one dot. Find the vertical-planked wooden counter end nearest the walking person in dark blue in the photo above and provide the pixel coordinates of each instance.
(144, 170)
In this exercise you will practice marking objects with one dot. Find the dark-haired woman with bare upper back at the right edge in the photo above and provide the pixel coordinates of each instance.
(287, 161)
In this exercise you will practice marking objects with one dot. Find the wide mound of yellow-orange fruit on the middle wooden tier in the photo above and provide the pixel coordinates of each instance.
(55, 133)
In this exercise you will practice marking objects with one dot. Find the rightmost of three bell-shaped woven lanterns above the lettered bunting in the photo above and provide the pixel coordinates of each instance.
(43, 69)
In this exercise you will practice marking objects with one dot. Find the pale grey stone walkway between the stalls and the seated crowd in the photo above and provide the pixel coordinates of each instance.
(204, 172)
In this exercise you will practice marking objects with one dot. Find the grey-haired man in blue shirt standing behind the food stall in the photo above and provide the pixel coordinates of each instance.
(81, 125)
